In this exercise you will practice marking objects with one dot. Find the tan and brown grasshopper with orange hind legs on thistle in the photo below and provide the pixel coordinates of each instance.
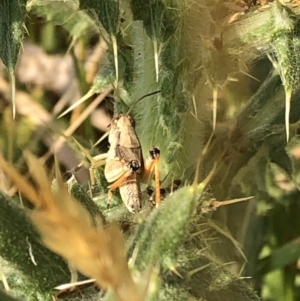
(125, 167)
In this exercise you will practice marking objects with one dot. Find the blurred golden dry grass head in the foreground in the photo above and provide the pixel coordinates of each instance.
(67, 229)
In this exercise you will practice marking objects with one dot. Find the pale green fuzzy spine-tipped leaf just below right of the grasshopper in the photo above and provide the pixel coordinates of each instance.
(159, 236)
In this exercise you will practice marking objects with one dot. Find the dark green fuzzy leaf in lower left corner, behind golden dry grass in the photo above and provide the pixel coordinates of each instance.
(20, 246)
